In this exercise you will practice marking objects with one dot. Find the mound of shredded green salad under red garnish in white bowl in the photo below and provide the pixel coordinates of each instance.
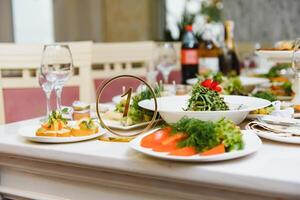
(204, 99)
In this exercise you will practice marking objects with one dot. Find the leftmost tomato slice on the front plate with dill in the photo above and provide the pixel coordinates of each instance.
(154, 139)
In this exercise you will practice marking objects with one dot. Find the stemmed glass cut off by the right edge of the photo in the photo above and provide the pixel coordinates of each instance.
(296, 69)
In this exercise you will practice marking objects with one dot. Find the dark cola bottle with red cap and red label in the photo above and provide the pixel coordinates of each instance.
(189, 55)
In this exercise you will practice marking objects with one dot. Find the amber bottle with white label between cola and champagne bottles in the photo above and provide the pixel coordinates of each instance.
(208, 53)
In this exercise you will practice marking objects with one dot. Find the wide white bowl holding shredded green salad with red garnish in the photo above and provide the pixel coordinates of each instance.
(205, 103)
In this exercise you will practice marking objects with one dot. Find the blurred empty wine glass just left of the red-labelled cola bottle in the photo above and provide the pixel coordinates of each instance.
(166, 60)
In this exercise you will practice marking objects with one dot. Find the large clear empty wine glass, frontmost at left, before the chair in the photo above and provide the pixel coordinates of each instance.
(57, 67)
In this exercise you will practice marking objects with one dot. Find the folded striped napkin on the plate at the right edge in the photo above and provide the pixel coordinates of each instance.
(278, 130)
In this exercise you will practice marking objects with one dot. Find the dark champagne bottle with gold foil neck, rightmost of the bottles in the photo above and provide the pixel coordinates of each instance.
(228, 59)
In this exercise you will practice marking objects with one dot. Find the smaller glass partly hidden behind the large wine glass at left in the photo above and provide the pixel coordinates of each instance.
(47, 87)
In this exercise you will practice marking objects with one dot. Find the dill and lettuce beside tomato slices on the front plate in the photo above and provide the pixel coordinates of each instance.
(206, 135)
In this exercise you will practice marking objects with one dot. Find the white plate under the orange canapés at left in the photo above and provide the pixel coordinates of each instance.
(28, 132)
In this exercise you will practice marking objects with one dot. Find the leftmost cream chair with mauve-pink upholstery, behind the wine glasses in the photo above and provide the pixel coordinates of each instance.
(20, 94)
